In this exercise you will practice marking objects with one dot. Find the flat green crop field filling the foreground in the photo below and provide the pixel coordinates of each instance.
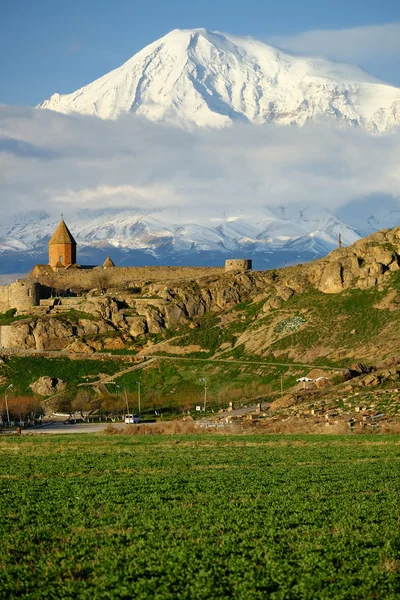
(200, 516)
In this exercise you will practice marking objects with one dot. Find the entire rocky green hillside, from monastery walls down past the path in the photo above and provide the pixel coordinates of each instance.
(250, 335)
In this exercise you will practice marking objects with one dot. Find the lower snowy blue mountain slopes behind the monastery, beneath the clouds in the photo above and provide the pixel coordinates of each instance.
(273, 237)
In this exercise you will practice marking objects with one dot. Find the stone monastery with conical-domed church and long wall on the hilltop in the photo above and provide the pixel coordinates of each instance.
(63, 278)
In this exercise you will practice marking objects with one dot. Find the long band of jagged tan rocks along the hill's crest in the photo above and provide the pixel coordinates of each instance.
(116, 321)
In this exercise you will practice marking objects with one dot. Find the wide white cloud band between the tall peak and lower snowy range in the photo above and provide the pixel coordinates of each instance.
(66, 163)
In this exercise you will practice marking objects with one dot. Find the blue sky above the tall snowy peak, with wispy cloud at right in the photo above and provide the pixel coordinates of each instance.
(50, 46)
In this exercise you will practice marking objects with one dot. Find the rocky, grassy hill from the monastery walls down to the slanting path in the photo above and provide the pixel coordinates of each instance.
(341, 308)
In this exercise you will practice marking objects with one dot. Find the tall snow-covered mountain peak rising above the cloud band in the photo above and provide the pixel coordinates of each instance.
(199, 78)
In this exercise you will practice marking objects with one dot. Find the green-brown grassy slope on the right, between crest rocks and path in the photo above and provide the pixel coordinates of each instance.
(311, 327)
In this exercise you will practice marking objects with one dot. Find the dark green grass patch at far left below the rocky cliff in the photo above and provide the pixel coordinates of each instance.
(22, 371)
